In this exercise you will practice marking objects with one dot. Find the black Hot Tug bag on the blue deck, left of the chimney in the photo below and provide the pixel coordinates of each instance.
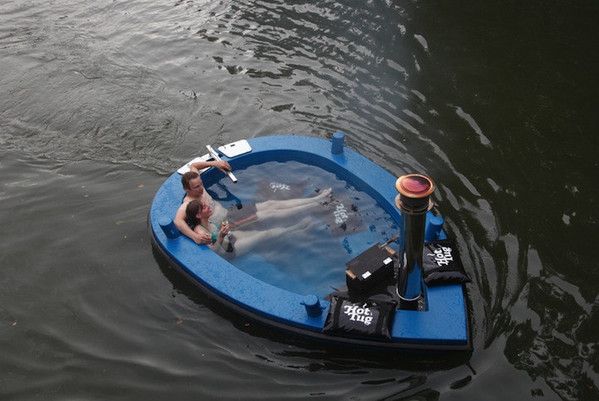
(367, 319)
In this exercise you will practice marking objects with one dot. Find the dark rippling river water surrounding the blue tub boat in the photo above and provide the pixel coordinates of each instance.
(100, 101)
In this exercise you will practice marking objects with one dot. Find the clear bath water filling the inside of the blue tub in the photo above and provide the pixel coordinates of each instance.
(302, 225)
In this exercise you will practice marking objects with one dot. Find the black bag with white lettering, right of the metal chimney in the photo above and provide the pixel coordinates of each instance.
(442, 264)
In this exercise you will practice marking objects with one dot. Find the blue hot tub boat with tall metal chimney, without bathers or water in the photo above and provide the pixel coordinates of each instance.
(421, 316)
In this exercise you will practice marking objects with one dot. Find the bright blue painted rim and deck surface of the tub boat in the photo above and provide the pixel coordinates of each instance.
(445, 321)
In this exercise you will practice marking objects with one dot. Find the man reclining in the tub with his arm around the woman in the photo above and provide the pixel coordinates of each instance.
(271, 209)
